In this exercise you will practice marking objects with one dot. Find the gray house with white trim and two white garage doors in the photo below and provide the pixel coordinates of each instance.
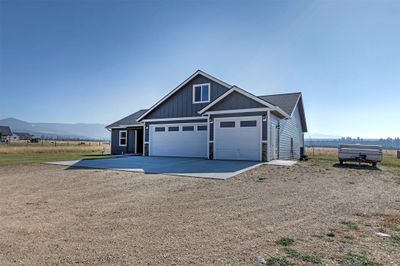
(205, 117)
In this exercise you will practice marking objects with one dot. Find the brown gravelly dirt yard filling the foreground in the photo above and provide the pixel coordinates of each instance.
(305, 214)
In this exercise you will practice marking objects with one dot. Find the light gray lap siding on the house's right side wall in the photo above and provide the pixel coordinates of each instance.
(291, 128)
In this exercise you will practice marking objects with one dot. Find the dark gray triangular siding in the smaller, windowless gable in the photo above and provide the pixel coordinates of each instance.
(236, 100)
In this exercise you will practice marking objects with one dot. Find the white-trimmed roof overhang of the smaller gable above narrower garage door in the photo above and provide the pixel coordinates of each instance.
(268, 105)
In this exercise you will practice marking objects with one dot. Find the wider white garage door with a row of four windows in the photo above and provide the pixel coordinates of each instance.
(179, 140)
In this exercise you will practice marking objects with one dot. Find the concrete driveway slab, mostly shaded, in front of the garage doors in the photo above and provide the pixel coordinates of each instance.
(215, 169)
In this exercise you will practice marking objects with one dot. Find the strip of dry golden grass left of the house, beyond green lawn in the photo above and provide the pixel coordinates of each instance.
(54, 147)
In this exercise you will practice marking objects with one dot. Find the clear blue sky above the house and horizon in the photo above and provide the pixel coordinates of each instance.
(97, 61)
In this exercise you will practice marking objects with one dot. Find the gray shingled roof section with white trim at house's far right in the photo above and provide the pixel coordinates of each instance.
(288, 102)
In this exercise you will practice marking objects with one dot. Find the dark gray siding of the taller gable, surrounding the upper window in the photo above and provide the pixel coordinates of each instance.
(181, 103)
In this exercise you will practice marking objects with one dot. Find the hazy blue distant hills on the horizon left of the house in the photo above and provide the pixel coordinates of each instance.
(58, 130)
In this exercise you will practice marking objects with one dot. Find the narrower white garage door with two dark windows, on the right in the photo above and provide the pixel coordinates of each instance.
(237, 138)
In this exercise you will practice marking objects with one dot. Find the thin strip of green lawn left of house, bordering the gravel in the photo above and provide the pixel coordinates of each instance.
(31, 158)
